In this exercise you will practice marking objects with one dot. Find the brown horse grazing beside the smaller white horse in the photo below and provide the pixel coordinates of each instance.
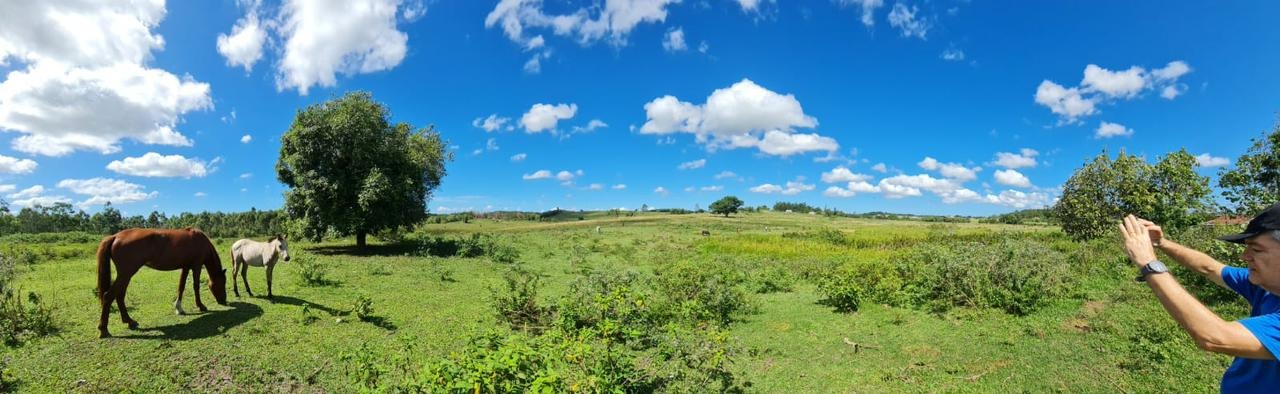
(162, 250)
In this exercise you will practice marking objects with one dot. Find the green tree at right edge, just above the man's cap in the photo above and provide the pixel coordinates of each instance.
(1254, 184)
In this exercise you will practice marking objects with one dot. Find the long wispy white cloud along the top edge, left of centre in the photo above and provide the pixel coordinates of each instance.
(614, 21)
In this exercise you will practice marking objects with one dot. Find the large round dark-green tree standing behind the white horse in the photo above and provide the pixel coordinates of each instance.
(351, 169)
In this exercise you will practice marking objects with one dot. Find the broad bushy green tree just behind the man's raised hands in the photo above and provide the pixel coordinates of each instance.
(1098, 195)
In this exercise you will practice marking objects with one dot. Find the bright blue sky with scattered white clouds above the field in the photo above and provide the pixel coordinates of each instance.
(970, 108)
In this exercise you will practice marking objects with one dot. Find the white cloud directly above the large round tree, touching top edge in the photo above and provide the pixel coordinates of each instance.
(323, 39)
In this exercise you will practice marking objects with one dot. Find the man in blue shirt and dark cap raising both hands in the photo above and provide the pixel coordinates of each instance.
(1255, 341)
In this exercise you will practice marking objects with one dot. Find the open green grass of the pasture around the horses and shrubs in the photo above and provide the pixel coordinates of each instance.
(1103, 335)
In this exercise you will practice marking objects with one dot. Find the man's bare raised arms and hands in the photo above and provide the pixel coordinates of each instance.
(1210, 332)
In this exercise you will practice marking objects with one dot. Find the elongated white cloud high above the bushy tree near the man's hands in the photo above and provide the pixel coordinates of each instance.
(1104, 86)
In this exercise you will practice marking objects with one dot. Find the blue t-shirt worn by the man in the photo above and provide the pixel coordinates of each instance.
(1247, 375)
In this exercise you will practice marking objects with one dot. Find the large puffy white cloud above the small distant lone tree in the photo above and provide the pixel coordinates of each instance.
(740, 116)
